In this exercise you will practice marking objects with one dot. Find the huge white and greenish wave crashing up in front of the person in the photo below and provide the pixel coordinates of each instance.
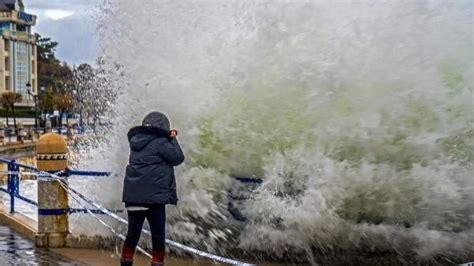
(358, 117)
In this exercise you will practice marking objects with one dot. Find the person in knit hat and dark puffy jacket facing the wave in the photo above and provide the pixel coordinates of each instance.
(149, 183)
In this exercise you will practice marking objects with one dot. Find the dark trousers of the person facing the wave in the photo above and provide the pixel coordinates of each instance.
(156, 216)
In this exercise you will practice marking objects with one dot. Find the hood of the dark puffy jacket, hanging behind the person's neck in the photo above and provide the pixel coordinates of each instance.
(140, 136)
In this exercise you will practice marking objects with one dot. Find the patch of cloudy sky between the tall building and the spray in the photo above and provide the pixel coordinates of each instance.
(69, 22)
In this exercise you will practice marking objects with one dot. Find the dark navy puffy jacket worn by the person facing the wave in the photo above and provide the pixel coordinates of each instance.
(149, 177)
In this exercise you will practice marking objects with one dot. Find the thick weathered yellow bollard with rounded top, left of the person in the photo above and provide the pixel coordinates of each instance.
(53, 203)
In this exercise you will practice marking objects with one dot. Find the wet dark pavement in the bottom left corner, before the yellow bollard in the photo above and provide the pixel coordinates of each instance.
(17, 250)
